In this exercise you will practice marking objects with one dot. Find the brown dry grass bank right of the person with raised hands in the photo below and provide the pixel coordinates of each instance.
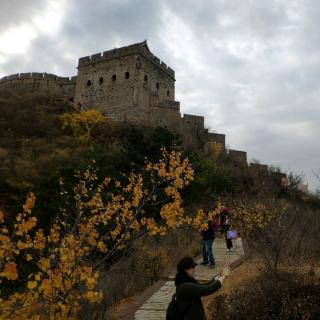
(252, 292)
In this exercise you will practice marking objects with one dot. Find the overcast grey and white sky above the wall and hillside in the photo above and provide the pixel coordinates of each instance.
(251, 67)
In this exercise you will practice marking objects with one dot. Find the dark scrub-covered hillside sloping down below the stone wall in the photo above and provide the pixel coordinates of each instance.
(66, 176)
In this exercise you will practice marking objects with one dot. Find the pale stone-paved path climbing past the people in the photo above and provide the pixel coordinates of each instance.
(155, 307)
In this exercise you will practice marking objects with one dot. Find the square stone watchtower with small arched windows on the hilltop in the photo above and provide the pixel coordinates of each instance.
(128, 84)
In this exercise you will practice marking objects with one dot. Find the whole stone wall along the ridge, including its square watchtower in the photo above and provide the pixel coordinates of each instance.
(130, 85)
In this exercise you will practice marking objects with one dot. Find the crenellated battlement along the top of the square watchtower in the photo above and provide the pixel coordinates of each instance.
(137, 48)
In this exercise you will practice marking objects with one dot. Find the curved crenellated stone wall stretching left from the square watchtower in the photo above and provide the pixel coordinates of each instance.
(36, 83)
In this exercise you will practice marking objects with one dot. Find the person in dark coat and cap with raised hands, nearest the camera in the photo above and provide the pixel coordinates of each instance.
(189, 291)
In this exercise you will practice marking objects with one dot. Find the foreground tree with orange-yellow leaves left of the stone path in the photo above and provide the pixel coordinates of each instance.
(47, 274)
